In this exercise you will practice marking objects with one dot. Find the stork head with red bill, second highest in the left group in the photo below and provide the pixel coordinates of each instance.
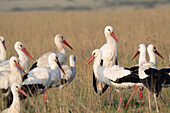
(20, 46)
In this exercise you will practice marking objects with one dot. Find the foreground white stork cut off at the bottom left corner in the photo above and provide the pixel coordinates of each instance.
(15, 107)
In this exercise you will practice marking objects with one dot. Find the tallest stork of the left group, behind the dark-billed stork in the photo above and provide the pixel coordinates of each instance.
(61, 54)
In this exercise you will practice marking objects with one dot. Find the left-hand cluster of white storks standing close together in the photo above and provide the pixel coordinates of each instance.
(49, 71)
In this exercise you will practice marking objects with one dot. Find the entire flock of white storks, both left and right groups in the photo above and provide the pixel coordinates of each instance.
(18, 82)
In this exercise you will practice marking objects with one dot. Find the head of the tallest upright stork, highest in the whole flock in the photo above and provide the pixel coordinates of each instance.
(109, 31)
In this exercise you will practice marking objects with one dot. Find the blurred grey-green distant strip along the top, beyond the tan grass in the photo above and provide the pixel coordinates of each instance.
(66, 5)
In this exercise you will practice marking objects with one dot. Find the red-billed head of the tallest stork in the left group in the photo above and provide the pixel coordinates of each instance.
(60, 38)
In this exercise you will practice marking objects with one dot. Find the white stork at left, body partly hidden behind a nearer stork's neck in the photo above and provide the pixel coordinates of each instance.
(23, 60)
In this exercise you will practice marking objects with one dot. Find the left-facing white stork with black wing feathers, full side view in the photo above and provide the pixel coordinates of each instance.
(115, 75)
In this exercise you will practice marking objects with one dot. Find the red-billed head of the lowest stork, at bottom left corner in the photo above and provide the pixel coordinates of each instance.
(17, 87)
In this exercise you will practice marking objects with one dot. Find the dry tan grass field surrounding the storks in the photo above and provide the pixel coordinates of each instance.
(84, 32)
